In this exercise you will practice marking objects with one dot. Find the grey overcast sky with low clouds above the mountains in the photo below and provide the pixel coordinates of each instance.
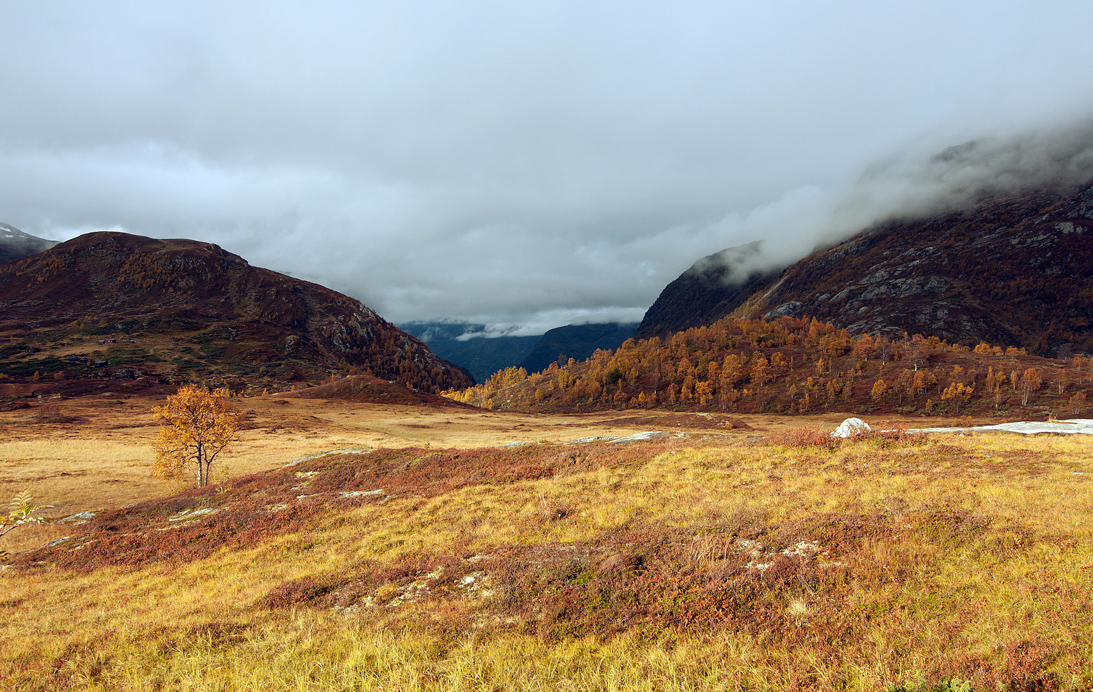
(502, 162)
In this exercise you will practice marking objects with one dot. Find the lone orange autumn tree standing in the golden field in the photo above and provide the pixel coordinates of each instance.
(197, 425)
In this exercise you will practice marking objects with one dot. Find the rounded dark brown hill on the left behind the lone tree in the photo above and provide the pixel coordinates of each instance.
(113, 306)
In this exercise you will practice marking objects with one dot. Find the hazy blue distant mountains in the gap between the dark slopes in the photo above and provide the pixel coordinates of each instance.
(481, 356)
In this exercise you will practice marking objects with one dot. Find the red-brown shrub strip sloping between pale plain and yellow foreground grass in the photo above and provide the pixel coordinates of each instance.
(250, 510)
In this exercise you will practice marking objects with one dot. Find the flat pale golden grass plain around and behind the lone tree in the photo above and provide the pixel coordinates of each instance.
(101, 456)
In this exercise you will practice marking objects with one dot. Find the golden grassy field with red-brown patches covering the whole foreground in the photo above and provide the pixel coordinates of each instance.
(709, 558)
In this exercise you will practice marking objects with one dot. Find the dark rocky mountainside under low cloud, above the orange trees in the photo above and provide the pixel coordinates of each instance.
(1013, 269)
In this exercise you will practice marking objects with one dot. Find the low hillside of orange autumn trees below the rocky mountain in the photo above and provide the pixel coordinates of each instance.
(793, 366)
